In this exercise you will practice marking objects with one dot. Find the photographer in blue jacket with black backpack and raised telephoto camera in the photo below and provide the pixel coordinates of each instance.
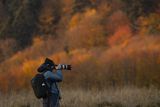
(44, 83)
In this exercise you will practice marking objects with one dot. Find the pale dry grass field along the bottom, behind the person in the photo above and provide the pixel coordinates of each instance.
(125, 97)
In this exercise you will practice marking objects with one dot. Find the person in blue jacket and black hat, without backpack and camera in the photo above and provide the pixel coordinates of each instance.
(52, 100)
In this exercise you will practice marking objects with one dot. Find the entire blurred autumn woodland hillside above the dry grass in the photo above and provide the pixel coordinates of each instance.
(109, 43)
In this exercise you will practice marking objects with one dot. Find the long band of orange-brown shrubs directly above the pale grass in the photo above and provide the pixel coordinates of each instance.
(94, 67)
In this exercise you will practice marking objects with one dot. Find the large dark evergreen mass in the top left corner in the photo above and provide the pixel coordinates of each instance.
(21, 21)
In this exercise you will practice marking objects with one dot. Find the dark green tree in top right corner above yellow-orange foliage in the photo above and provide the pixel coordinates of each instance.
(137, 8)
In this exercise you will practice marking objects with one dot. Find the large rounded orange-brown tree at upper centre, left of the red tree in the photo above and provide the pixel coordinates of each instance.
(85, 30)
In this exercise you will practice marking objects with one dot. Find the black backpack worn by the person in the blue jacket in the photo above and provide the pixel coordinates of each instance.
(39, 85)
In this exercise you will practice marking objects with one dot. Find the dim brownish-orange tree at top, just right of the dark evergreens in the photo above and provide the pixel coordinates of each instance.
(49, 17)
